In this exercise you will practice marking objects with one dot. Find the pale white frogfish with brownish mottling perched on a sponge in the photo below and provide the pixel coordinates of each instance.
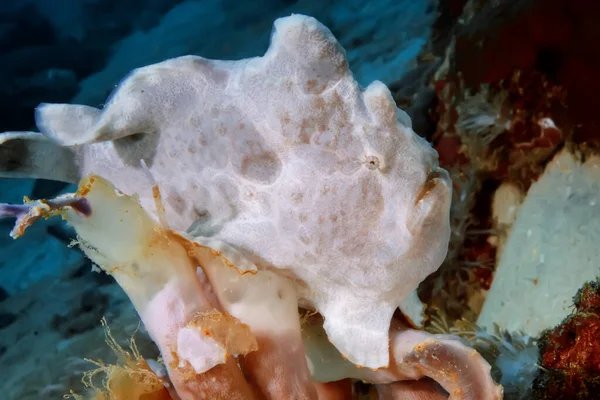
(287, 159)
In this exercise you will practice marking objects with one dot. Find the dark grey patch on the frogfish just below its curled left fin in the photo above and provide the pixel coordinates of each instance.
(140, 146)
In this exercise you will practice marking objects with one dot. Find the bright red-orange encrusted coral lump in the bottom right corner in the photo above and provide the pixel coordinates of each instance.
(569, 352)
